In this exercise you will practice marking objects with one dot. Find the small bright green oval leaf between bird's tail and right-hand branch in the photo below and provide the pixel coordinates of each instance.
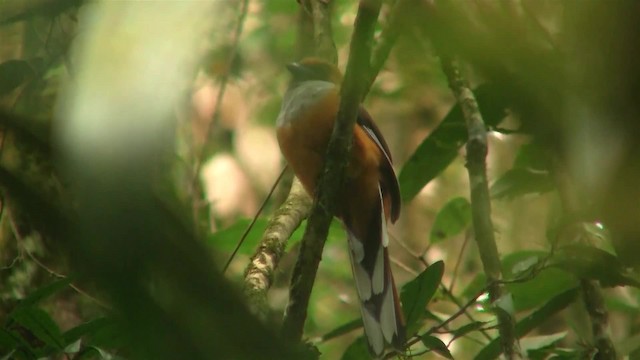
(452, 219)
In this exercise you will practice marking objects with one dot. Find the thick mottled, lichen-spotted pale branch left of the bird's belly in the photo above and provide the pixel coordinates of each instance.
(259, 273)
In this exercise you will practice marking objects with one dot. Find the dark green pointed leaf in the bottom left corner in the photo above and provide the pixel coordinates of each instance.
(40, 324)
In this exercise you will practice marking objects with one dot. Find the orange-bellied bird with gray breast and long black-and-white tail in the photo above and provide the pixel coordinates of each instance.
(368, 199)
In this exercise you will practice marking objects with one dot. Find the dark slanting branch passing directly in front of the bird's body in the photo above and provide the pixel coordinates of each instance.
(332, 178)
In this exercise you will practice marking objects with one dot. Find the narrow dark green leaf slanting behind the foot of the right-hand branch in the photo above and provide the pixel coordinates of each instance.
(534, 320)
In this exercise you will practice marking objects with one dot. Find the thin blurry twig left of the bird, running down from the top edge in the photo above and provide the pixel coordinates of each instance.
(215, 119)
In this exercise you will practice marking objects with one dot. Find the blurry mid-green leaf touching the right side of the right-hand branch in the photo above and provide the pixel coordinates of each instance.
(519, 181)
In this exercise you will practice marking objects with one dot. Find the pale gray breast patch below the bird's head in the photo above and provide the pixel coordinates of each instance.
(300, 98)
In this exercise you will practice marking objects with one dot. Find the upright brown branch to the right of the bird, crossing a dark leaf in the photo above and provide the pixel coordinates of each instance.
(480, 202)
